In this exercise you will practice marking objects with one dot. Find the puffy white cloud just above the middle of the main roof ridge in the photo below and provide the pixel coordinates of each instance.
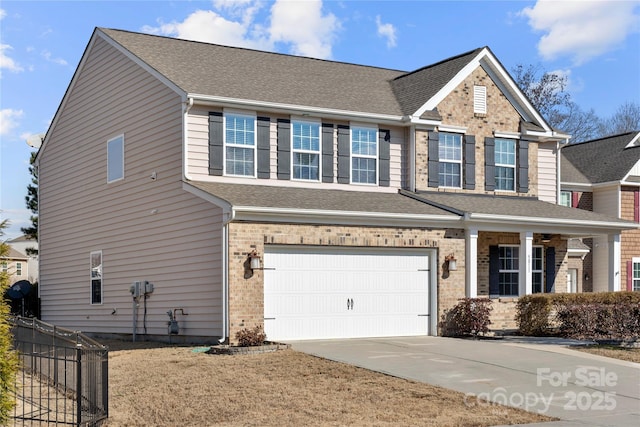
(302, 24)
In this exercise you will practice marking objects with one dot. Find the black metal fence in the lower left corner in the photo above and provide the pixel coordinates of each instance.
(63, 377)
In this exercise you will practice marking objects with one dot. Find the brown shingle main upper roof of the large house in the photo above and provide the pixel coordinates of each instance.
(209, 69)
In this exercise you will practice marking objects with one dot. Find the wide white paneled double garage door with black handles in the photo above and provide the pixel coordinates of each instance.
(314, 293)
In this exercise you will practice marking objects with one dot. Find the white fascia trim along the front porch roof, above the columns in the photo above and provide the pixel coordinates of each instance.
(602, 226)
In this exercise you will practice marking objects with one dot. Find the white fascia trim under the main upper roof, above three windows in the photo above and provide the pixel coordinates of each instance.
(299, 110)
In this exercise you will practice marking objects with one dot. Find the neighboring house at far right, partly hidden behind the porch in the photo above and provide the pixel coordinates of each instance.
(603, 175)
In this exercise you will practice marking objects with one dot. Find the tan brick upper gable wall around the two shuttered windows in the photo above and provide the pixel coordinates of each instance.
(457, 110)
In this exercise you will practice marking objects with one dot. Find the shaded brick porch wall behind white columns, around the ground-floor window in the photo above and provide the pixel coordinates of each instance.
(503, 314)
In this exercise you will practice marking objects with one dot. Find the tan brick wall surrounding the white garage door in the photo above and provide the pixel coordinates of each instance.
(246, 291)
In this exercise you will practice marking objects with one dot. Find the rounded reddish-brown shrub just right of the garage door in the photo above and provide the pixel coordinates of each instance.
(470, 317)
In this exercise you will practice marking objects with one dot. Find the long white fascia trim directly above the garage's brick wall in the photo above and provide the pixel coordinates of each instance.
(252, 213)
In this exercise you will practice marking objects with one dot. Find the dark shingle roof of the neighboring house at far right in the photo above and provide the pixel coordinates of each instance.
(599, 160)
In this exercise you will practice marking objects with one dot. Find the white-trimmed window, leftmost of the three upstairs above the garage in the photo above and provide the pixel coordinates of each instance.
(240, 144)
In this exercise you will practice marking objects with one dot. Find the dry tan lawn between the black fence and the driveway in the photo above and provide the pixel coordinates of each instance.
(173, 386)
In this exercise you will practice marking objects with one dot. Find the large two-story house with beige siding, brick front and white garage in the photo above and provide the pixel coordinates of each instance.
(367, 200)
